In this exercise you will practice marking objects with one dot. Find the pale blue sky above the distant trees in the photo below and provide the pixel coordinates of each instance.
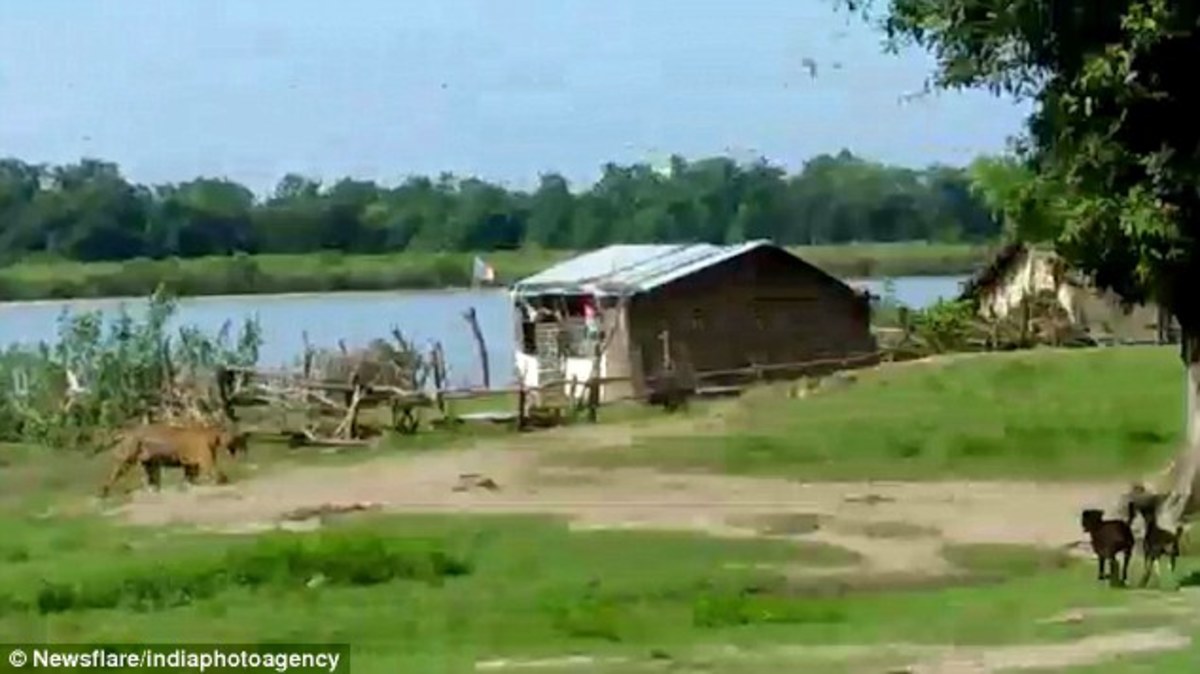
(500, 89)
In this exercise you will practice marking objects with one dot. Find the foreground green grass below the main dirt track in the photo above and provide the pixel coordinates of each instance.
(418, 594)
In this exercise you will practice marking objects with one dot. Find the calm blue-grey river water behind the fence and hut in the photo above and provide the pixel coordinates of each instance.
(359, 317)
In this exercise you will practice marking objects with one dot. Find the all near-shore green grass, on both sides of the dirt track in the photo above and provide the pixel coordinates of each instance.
(443, 593)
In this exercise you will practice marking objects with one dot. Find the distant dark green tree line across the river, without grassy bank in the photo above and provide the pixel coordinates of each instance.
(89, 212)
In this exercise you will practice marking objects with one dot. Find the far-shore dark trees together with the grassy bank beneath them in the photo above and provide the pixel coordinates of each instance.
(83, 231)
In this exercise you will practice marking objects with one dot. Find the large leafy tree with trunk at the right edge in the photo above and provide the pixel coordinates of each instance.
(1113, 135)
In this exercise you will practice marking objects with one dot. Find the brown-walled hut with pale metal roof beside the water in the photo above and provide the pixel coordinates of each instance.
(632, 312)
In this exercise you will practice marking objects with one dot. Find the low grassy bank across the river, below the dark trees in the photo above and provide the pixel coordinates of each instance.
(323, 273)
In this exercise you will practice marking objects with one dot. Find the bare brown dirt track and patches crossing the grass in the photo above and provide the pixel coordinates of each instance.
(897, 528)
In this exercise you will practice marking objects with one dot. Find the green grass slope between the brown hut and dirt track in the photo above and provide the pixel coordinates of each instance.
(1072, 416)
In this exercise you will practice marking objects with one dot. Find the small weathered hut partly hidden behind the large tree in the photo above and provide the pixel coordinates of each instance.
(1019, 273)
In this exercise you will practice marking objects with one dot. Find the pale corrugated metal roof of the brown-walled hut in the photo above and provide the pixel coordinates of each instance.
(628, 269)
